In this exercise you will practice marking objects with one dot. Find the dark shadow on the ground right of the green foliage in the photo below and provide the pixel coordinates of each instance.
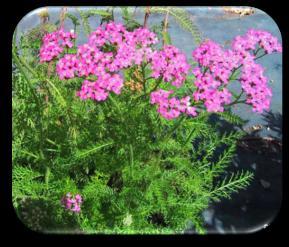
(258, 205)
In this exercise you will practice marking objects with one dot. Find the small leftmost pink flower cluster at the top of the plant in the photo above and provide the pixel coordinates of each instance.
(53, 44)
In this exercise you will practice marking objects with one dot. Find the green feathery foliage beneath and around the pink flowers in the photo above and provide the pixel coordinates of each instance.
(137, 172)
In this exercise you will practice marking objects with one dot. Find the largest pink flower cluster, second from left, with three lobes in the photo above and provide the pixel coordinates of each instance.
(109, 49)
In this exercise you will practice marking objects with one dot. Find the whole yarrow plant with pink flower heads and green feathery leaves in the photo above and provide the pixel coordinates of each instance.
(123, 119)
